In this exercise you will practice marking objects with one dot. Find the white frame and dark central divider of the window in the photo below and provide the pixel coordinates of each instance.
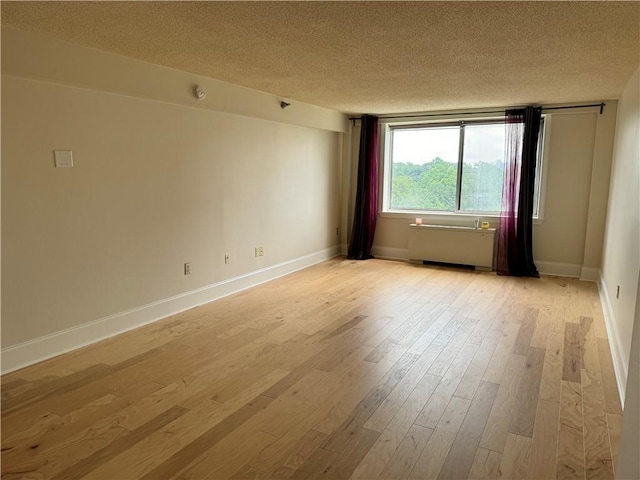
(386, 146)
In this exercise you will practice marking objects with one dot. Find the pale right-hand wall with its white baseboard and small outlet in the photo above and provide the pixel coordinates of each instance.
(621, 252)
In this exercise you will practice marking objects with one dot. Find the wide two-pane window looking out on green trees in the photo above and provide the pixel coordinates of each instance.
(448, 167)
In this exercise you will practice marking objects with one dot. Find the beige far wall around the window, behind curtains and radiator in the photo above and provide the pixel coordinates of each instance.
(568, 238)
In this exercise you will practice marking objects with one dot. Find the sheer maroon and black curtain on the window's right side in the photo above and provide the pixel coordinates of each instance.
(515, 242)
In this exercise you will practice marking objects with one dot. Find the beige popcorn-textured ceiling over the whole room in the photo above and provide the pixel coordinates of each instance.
(376, 57)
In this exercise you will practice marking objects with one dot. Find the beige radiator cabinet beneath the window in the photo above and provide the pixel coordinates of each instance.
(459, 245)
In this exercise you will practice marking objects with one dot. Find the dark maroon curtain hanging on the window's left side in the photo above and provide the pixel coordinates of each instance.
(366, 211)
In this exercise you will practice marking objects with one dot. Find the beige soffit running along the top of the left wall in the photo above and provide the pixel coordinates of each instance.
(37, 56)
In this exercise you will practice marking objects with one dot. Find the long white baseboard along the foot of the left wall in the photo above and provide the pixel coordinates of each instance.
(48, 346)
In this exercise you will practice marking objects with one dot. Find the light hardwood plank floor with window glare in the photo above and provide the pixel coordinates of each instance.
(361, 370)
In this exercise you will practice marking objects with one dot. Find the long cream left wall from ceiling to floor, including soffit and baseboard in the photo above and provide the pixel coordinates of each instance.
(98, 248)
